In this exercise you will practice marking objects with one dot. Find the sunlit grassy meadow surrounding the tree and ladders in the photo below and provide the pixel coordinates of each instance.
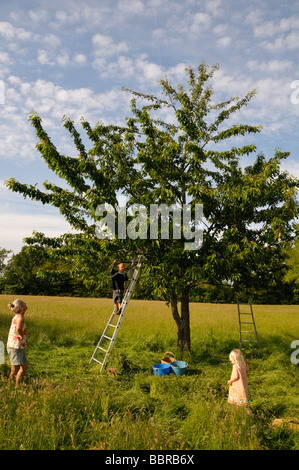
(65, 403)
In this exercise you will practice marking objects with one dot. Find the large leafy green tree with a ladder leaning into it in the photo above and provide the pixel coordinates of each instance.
(184, 159)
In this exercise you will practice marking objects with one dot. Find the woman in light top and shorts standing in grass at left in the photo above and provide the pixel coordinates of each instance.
(17, 341)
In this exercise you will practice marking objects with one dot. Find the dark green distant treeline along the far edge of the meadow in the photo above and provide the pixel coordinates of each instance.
(29, 272)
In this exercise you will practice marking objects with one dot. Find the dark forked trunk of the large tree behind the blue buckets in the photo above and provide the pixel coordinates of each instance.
(183, 320)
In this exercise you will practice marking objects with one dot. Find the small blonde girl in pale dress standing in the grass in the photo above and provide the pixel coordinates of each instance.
(238, 389)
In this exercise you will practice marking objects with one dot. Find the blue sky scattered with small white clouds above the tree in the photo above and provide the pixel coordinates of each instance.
(72, 58)
